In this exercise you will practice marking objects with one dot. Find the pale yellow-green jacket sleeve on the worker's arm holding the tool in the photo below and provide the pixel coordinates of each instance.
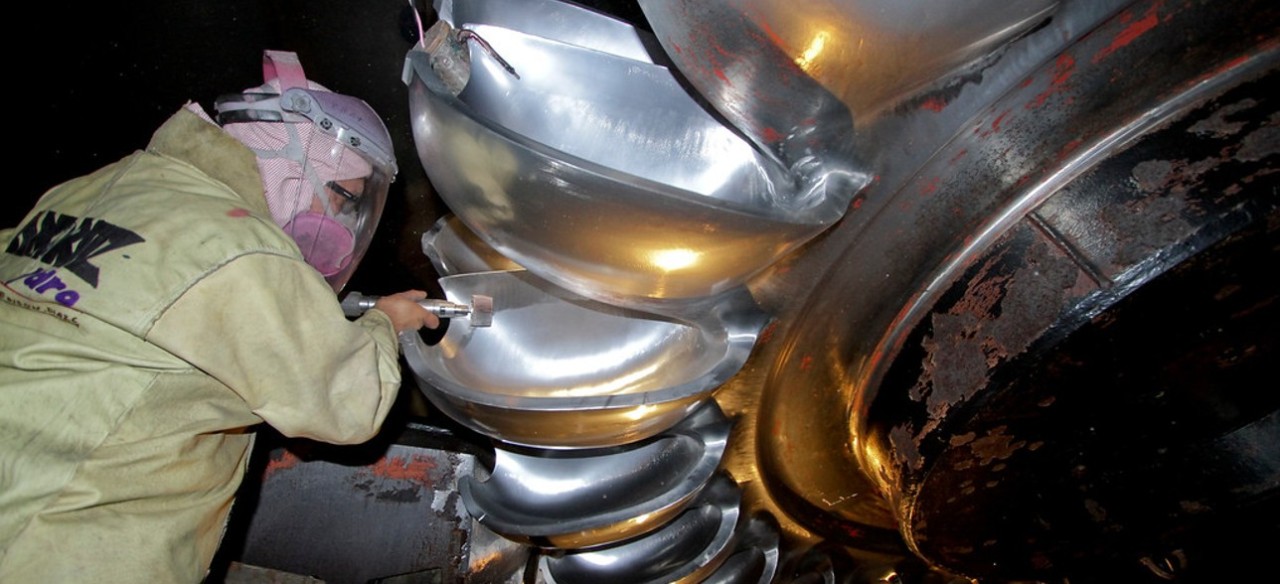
(271, 330)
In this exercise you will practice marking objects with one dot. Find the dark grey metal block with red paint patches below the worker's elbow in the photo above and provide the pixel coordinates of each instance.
(386, 512)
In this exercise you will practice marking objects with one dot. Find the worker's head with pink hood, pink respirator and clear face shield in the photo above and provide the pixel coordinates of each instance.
(327, 165)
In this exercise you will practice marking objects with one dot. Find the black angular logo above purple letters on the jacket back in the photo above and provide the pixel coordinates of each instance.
(66, 241)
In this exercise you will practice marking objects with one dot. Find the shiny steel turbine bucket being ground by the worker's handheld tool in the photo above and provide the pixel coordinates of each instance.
(557, 371)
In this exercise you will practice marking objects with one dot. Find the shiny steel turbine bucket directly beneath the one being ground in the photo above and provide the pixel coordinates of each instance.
(580, 499)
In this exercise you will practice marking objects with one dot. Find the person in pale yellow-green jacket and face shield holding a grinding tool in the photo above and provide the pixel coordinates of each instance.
(156, 312)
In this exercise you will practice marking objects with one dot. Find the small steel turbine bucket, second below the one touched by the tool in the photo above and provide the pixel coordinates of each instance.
(687, 550)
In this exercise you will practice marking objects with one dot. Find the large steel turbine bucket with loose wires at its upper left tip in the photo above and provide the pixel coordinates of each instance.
(605, 176)
